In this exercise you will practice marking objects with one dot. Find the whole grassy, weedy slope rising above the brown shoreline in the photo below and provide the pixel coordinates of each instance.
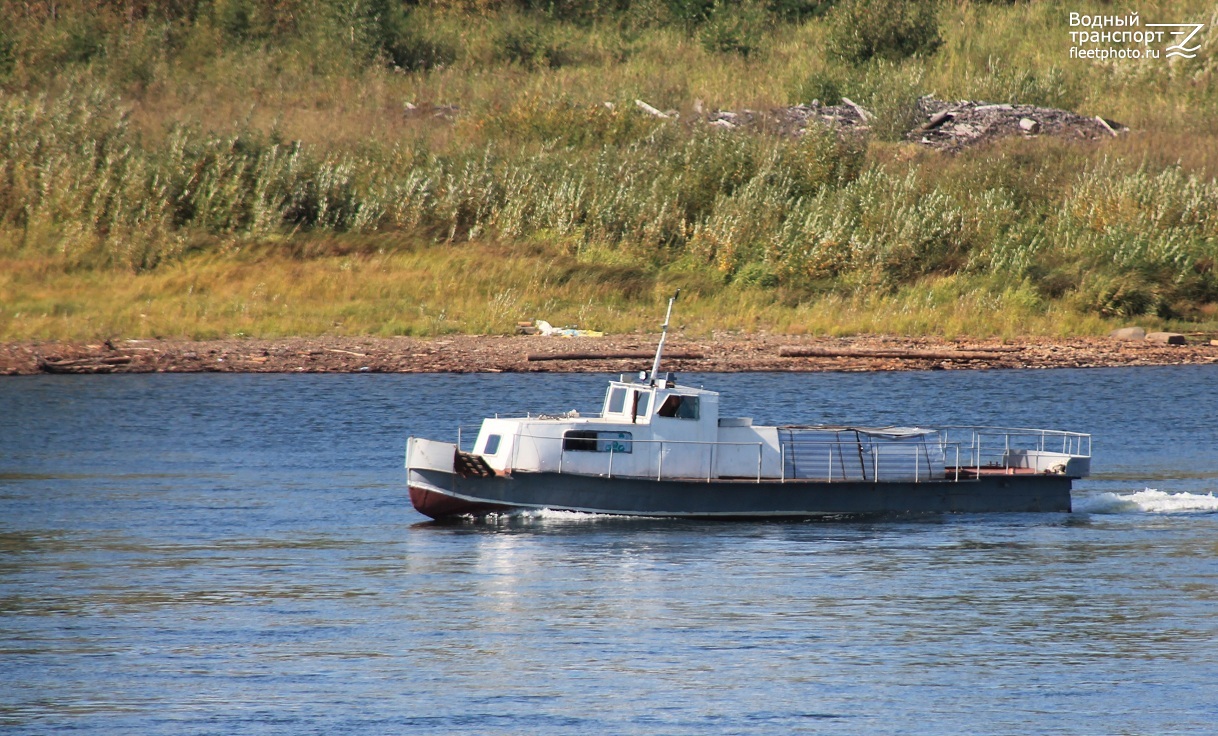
(534, 200)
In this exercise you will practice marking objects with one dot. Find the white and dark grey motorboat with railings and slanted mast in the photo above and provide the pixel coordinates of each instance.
(660, 448)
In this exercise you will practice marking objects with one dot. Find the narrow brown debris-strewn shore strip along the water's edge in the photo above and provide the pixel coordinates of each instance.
(473, 354)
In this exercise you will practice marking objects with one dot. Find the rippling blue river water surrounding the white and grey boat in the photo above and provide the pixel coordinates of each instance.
(238, 555)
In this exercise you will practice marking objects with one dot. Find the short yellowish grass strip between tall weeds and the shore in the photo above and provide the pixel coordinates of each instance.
(482, 289)
